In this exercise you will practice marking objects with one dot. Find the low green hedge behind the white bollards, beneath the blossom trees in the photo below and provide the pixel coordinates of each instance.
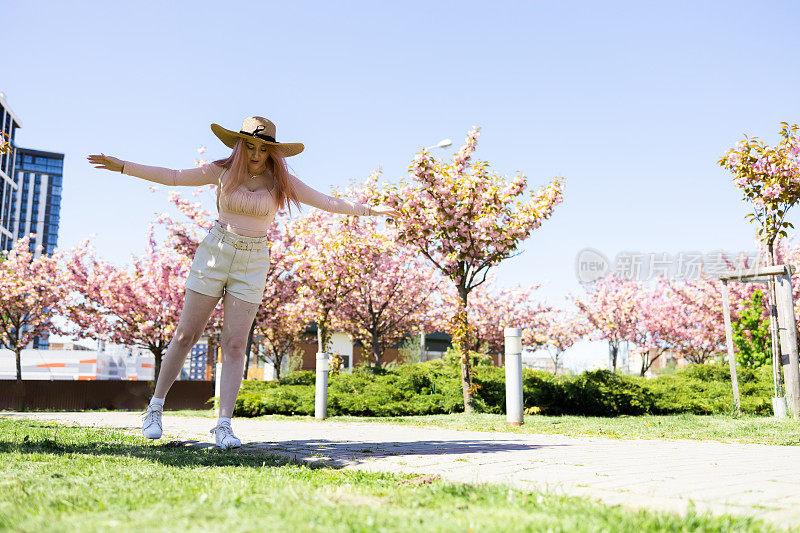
(434, 388)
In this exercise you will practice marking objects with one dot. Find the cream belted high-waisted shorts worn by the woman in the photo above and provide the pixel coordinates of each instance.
(229, 263)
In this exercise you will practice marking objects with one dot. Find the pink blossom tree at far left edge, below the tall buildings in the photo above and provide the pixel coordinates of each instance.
(32, 292)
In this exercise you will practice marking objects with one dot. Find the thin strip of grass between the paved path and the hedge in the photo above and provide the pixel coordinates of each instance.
(761, 430)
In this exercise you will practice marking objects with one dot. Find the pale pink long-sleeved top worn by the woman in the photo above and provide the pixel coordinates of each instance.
(244, 212)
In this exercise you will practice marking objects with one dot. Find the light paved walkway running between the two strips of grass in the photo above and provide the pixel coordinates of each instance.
(744, 479)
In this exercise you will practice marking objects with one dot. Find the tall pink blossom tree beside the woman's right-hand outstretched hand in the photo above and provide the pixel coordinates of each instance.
(465, 219)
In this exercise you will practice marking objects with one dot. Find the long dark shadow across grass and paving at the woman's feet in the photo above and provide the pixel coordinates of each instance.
(311, 453)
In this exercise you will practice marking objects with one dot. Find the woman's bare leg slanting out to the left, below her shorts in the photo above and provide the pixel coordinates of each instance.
(197, 309)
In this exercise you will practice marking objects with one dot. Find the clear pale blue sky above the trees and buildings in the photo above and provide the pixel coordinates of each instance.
(632, 102)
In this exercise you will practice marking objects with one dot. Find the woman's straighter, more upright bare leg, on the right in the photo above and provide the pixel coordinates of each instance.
(235, 328)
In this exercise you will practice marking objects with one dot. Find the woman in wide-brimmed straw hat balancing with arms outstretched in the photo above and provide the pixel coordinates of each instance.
(233, 259)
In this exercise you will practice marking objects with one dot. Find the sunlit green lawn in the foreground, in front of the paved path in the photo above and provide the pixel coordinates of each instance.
(60, 478)
